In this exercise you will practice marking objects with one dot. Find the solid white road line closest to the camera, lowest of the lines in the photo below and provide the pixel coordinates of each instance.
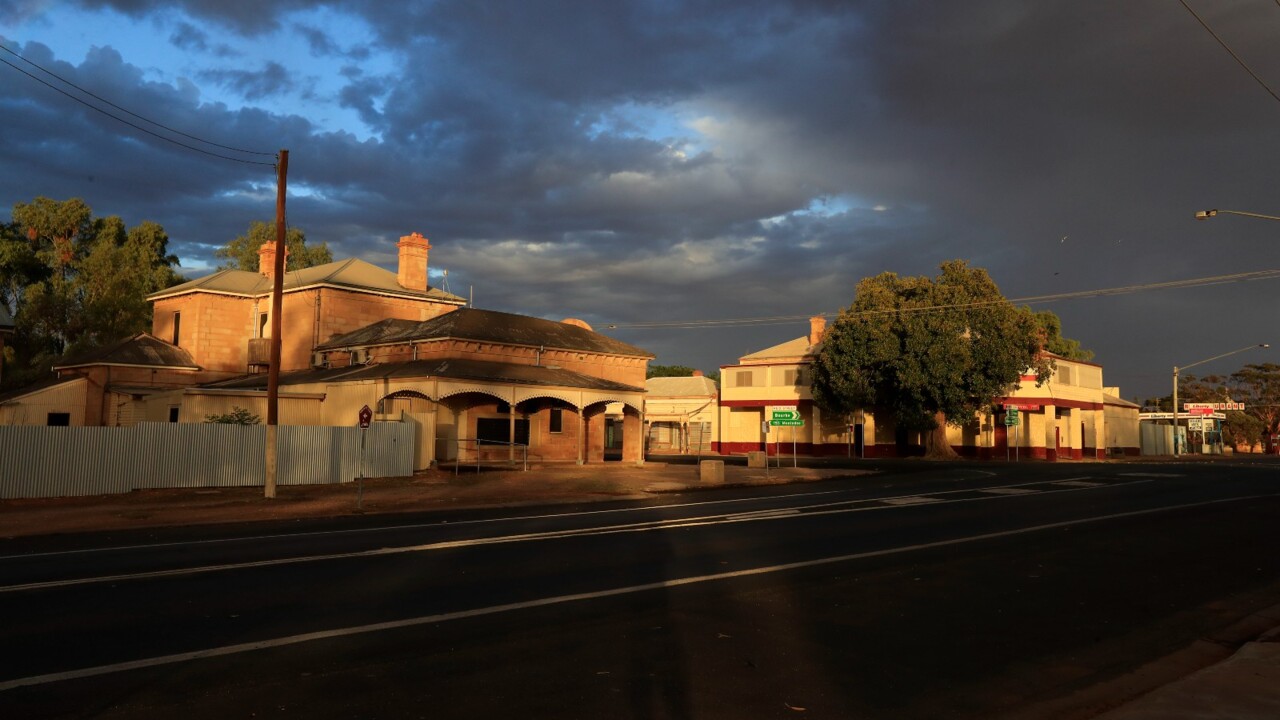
(560, 600)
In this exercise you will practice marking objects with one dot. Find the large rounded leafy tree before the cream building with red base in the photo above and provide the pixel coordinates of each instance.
(927, 352)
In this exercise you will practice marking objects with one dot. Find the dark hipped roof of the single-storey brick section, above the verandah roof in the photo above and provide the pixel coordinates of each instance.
(487, 326)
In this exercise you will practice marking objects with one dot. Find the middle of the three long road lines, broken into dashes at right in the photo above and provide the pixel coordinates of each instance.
(826, 509)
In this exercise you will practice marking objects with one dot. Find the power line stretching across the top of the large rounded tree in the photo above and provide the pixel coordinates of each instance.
(1031, 300)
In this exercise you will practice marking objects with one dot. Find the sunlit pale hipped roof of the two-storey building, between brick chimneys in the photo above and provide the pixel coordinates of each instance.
(351, 274)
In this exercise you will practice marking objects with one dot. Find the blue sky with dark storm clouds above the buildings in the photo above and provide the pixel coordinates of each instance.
(655, 166)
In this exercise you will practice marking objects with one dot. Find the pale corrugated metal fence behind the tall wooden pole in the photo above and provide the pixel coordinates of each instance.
(38, 462)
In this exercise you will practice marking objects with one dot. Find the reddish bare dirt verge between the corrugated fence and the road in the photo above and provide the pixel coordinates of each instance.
(436, 490)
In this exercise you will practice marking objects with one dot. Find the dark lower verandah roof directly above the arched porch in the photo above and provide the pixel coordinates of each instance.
(482, 371)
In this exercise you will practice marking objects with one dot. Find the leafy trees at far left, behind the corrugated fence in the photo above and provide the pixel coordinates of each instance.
(74, 282)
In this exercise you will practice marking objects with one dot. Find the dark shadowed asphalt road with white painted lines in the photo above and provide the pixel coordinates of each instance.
(966, 591)
